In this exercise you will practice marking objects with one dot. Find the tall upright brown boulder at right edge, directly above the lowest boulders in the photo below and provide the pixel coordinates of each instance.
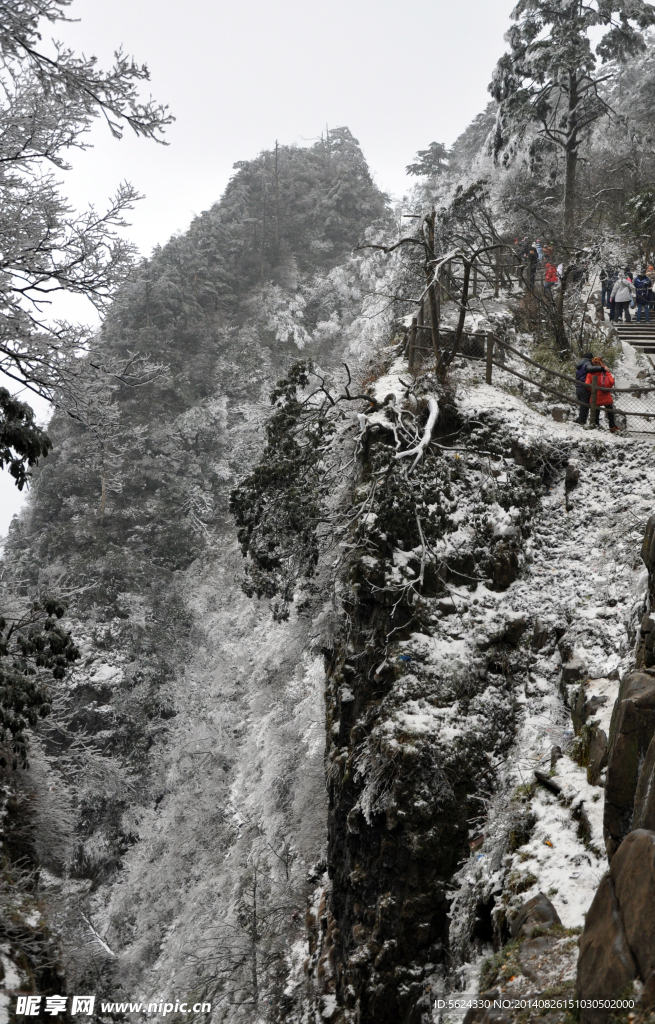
(632, 730)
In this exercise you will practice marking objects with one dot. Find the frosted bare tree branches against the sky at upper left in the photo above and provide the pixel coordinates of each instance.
(49, 104)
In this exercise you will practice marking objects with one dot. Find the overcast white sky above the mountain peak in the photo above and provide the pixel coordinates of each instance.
(240, 74)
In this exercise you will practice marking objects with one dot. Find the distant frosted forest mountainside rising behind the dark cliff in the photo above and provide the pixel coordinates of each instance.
(186, 750)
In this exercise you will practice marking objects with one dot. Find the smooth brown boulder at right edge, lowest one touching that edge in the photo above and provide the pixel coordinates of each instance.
(633, 872)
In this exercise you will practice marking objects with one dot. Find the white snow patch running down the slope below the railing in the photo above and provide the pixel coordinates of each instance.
(586, 584)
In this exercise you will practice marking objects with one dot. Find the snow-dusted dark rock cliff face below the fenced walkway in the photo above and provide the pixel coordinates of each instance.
(462, 689)
